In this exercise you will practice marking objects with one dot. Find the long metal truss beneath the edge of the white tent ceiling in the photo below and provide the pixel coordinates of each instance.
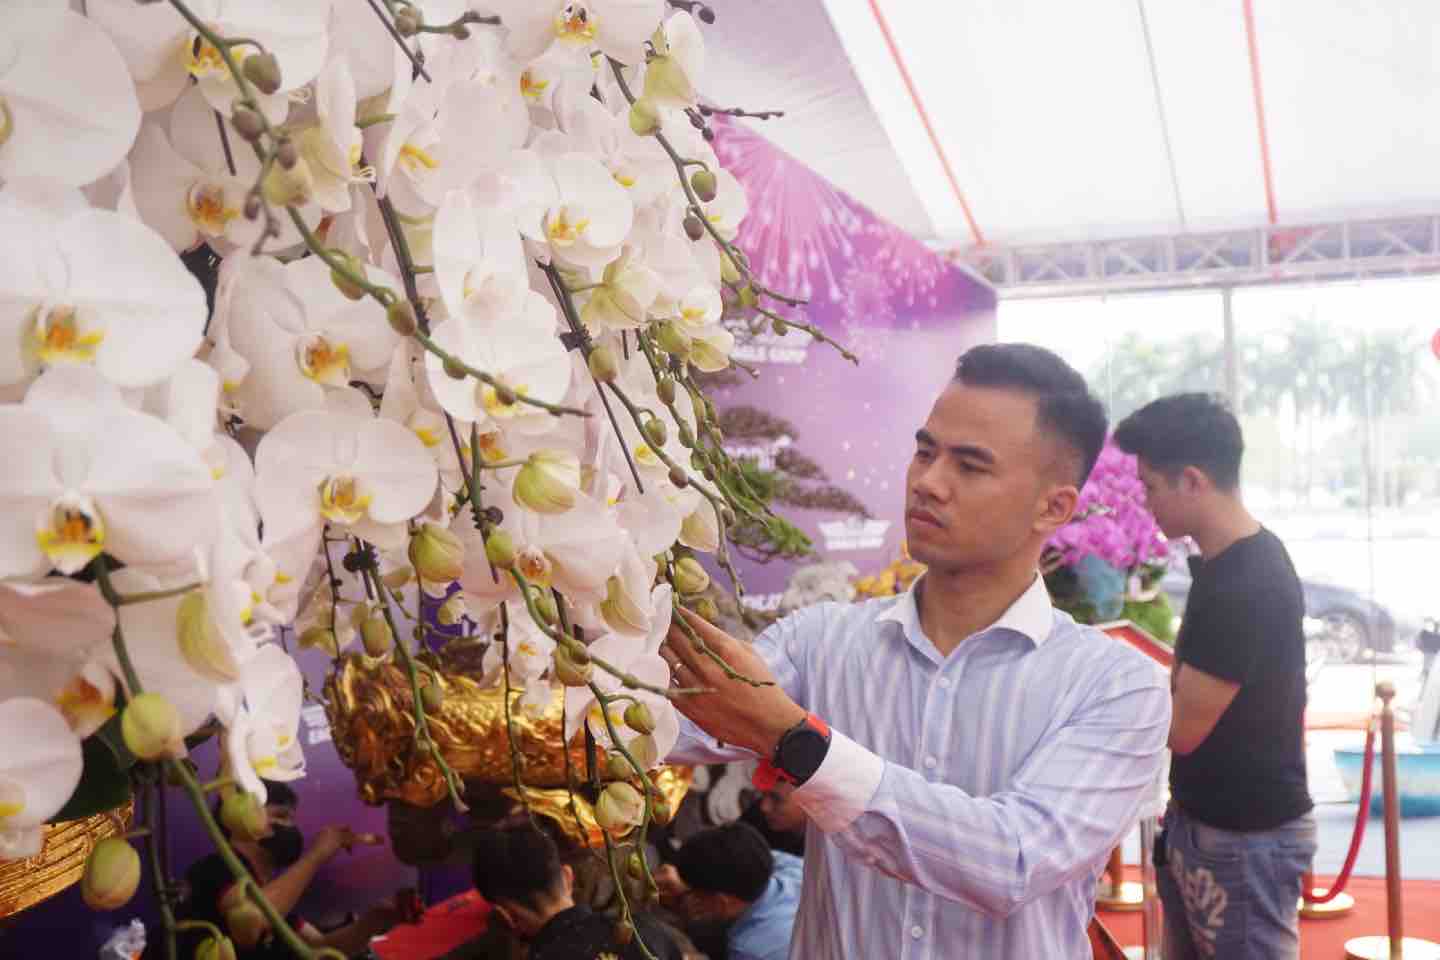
(1232, 258)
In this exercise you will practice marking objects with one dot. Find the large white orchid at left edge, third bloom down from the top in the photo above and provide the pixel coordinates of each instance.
(90, 476)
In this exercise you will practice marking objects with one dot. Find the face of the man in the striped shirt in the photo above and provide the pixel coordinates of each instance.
(983, 484)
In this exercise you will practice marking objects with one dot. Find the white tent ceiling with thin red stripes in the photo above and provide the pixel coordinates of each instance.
(1110, 119)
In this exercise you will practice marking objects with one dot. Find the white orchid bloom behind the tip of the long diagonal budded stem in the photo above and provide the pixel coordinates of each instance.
(523, 355)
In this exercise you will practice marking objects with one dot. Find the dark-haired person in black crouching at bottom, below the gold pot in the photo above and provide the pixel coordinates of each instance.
(518, 870)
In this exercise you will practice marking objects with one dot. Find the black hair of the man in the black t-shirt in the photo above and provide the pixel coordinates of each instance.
(1187, 430)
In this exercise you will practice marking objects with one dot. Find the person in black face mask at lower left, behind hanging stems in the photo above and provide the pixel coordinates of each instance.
(284, 869)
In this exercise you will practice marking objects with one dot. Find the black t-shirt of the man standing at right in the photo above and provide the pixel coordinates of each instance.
(1243, 624)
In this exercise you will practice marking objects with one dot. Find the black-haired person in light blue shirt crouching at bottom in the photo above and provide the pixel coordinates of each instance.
(732, 876)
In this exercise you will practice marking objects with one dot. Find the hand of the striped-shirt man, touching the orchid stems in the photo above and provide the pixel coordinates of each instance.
(735, 713)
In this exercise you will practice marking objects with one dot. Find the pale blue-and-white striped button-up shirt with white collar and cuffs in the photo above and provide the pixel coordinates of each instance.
(968, 802)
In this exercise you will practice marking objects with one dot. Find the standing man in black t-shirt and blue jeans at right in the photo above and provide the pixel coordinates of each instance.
(1239, 834)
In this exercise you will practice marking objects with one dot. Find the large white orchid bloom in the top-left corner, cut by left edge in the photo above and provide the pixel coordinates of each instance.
(71, 130)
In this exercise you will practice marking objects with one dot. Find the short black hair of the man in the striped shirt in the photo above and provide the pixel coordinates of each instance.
(1066, 407)
